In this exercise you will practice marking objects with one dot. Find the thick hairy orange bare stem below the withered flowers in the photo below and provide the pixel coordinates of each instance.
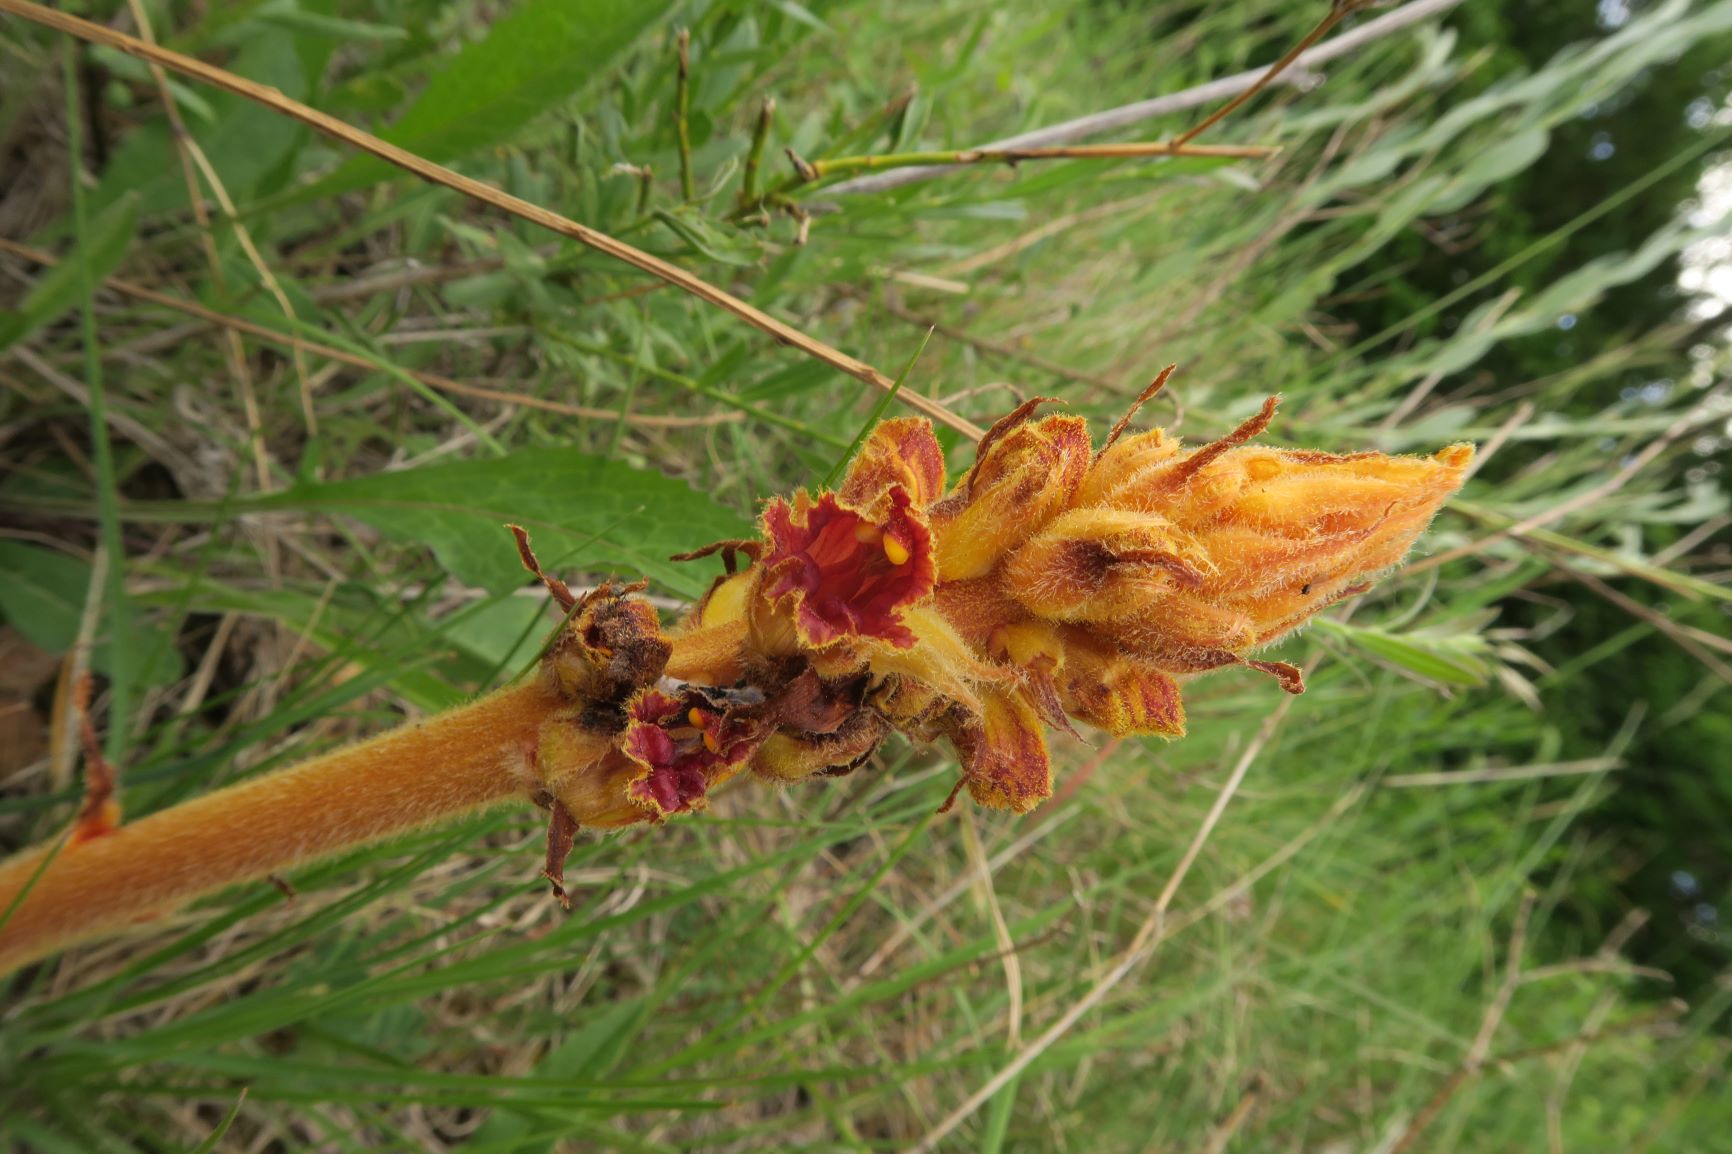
(456, 763)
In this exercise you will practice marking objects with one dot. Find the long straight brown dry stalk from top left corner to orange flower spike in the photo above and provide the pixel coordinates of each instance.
(488, 195)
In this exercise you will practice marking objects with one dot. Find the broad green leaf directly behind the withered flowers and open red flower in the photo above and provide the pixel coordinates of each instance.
(585, 514)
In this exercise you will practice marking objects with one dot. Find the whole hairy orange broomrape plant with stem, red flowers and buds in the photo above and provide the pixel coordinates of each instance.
(1054, 585)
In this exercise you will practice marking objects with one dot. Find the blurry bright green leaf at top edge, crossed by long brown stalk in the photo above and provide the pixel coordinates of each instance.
(533, 60)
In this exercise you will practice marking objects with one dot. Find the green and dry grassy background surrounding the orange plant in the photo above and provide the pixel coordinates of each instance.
(1364, 957)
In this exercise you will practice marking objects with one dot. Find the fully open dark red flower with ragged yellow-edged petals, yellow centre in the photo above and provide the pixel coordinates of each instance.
(844, 574)
